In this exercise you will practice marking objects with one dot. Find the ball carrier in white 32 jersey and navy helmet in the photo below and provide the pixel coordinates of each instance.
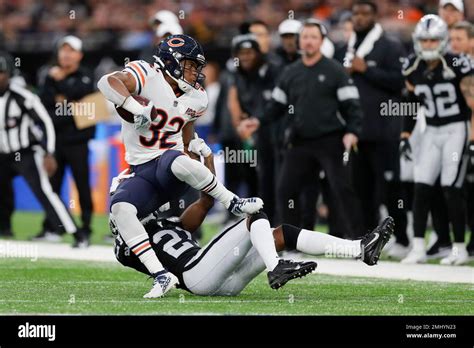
(155, 137)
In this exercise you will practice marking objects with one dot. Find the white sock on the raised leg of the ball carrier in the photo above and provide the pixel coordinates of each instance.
(199, 177)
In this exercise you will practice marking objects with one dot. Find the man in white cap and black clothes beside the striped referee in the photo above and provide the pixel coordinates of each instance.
(68, 82)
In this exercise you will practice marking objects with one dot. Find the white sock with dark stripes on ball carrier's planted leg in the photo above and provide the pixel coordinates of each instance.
(135, 235)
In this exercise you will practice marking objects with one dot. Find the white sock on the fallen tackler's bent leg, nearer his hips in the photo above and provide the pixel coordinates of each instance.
(261, 235)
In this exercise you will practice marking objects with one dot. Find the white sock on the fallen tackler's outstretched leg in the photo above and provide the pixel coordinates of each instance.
(317, 243)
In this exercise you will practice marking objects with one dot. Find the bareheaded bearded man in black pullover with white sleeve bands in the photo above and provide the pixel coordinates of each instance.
(325, 116)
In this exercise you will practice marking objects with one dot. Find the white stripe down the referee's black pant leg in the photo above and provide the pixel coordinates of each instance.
(52, 197)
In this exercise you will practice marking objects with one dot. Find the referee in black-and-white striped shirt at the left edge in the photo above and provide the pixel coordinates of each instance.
(27, 145)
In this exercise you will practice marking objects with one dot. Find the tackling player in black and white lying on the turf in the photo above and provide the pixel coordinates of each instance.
(233, 258)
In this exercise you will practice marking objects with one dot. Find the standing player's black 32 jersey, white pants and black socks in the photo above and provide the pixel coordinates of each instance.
(441, 146)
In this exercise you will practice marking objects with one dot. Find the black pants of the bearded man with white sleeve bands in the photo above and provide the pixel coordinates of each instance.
(301, 164)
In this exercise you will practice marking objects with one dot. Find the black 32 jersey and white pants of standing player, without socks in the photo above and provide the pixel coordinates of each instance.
(447, 116)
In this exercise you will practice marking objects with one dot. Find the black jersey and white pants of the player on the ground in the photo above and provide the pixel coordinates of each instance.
(223, 267)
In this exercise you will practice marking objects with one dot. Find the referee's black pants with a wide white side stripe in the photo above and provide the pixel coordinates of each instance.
(29, 164)
